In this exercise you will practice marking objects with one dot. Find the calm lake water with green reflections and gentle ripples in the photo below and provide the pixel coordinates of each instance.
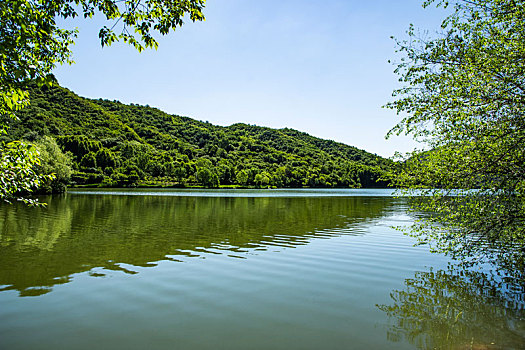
(268, 269)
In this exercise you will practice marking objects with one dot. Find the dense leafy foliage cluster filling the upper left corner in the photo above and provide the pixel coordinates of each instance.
(31, 45)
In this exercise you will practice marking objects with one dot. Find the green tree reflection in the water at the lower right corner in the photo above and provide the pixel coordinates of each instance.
(457, 309)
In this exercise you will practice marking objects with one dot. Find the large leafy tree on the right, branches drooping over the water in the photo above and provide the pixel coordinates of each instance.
(464, 97)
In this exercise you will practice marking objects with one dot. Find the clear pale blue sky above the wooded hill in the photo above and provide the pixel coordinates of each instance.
(319, 66)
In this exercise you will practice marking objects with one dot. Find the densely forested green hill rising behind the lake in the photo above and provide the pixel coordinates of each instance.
(108, 143)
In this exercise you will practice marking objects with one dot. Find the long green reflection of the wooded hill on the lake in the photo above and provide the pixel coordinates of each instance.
(42, 247)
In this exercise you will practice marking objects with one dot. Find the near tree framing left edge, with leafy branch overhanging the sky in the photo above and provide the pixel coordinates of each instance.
(32, 44)
